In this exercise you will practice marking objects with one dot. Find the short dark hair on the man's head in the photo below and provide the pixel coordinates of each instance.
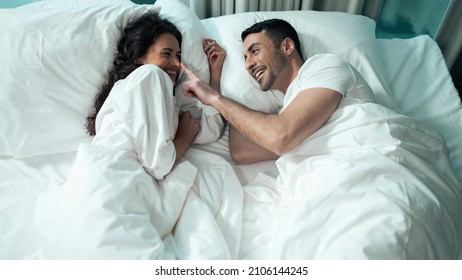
(277, 30)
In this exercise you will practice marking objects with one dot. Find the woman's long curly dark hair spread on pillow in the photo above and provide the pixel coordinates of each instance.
(137, 37)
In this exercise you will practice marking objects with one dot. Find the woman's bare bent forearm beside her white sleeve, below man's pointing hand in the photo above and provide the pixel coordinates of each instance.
(186, 132)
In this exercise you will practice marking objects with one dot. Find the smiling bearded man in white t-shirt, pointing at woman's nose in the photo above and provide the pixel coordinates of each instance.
(274, 59)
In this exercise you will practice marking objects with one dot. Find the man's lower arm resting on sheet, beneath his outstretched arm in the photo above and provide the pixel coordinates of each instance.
(244, 151)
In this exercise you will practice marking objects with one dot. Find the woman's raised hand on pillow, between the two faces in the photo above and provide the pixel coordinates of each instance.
(216, 57)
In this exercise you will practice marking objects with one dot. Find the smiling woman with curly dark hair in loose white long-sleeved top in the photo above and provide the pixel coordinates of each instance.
(135, 109)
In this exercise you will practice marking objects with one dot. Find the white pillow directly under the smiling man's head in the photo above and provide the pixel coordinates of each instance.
(351, 36)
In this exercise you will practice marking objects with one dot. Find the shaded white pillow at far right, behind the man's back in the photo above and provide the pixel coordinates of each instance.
(423, 88)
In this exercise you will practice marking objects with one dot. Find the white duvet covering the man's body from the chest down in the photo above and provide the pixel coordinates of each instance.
(370, 184)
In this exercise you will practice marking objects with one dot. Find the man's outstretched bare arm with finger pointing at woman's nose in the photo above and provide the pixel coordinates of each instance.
(278, 133)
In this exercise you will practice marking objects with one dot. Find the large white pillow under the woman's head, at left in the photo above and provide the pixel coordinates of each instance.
(54, 58)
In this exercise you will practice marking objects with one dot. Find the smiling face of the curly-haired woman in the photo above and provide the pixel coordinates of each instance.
(166, 54)
